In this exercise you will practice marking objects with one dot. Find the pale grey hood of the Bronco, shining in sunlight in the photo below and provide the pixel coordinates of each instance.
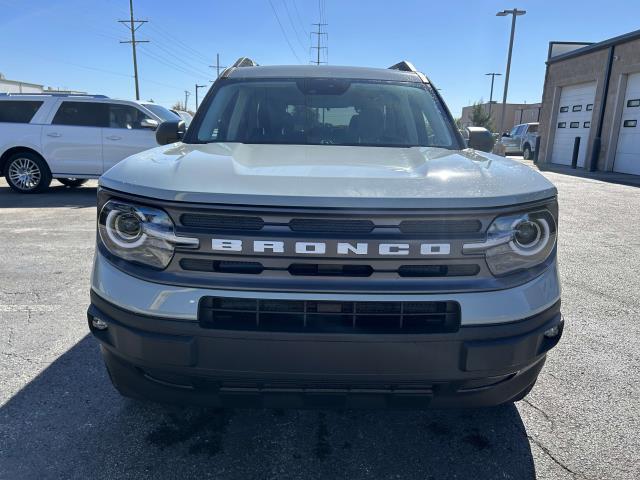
(327, 176)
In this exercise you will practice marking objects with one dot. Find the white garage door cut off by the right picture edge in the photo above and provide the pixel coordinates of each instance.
(628, 149)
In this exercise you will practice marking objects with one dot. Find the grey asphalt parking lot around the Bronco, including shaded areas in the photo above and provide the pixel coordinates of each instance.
(60, 417)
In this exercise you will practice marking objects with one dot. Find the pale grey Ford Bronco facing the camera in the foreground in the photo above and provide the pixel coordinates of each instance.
(323, 236)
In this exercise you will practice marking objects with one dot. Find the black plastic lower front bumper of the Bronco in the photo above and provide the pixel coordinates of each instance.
(178, 361)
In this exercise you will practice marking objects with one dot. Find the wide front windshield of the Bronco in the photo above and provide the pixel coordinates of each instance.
(325, 111)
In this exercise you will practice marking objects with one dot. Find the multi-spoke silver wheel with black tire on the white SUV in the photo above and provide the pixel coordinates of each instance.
(27, 172)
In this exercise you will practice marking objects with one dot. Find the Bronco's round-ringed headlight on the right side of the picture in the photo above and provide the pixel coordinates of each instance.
(517, 242)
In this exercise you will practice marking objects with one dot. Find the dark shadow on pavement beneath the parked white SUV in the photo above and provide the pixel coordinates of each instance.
(57, 196)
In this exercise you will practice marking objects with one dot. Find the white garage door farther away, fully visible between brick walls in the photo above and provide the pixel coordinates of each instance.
(574, 120)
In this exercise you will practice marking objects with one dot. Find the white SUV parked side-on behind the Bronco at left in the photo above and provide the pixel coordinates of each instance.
(71, 138)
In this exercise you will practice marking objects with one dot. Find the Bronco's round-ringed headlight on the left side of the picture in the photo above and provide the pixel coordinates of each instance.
(139, 234)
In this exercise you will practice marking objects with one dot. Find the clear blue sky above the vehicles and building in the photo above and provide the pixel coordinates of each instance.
(74, 43)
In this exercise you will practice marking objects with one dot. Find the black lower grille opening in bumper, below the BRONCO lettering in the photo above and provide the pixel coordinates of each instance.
(230, 313)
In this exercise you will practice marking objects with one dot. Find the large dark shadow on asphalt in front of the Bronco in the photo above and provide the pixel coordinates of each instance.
(69, 423)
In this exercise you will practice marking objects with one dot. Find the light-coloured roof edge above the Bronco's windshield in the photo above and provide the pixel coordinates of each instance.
(323, 71)
